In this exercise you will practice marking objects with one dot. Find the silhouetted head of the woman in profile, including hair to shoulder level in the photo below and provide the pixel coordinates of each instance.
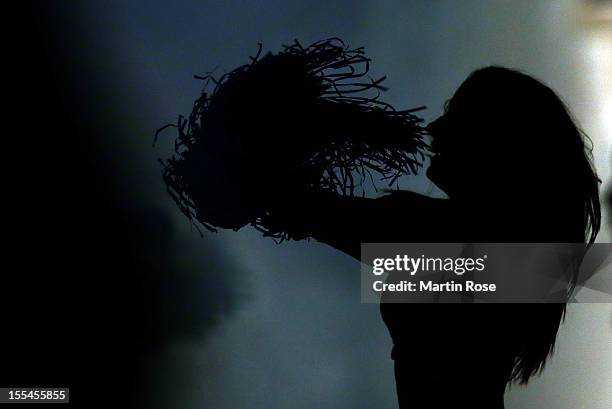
(506, 138)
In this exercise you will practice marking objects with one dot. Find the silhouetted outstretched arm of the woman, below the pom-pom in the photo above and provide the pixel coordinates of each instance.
(344, 222)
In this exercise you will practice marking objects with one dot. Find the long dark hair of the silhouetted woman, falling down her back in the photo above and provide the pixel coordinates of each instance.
(543, 158)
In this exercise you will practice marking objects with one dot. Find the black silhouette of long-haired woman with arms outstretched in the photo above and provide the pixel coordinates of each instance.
(515, 168)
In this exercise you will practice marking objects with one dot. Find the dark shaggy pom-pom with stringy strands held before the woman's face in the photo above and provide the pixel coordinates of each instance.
(305, 118)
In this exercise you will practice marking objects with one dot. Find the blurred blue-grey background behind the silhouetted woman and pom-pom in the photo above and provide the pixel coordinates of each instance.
(233, 320)
